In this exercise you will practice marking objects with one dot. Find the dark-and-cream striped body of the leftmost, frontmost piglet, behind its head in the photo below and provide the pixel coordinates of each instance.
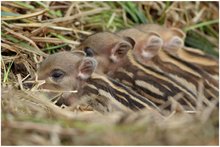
(117, 93)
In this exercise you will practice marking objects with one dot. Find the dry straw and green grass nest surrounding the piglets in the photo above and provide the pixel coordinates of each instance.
(31, 31)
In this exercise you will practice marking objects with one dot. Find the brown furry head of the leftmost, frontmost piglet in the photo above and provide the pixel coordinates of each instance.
(70, 64)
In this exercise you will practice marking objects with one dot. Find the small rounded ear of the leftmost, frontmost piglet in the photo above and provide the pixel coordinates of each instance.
(86, 68)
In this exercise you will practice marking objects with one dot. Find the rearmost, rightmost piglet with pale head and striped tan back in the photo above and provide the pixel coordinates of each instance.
(176, 47)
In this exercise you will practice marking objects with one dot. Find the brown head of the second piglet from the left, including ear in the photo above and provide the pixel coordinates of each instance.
(109, 50)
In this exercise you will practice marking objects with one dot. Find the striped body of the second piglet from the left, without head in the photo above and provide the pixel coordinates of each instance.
(152, 84)
